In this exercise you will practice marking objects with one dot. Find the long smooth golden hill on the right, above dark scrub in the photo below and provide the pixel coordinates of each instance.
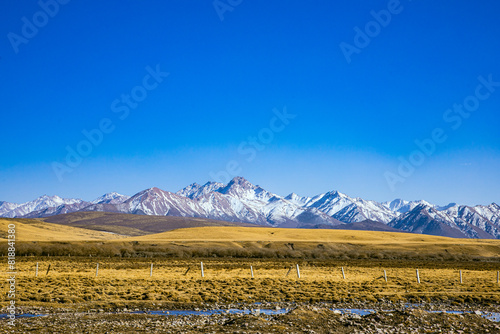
(241, 236)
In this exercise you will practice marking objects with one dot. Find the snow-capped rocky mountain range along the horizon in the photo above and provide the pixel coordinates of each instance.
(241, 201)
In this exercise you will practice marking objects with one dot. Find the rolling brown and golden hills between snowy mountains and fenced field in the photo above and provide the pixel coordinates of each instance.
(112, 233)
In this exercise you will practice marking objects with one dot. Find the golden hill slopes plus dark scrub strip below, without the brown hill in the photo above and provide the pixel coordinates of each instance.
(38, 238)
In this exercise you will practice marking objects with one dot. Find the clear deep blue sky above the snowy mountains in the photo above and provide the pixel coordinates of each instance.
(354, 120)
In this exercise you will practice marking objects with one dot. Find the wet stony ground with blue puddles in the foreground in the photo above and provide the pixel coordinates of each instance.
(268, 318)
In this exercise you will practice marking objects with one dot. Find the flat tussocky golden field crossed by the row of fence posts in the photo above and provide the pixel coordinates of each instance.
(72, 282)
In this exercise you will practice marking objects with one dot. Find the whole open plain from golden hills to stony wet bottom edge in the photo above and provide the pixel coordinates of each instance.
(113, 283)
